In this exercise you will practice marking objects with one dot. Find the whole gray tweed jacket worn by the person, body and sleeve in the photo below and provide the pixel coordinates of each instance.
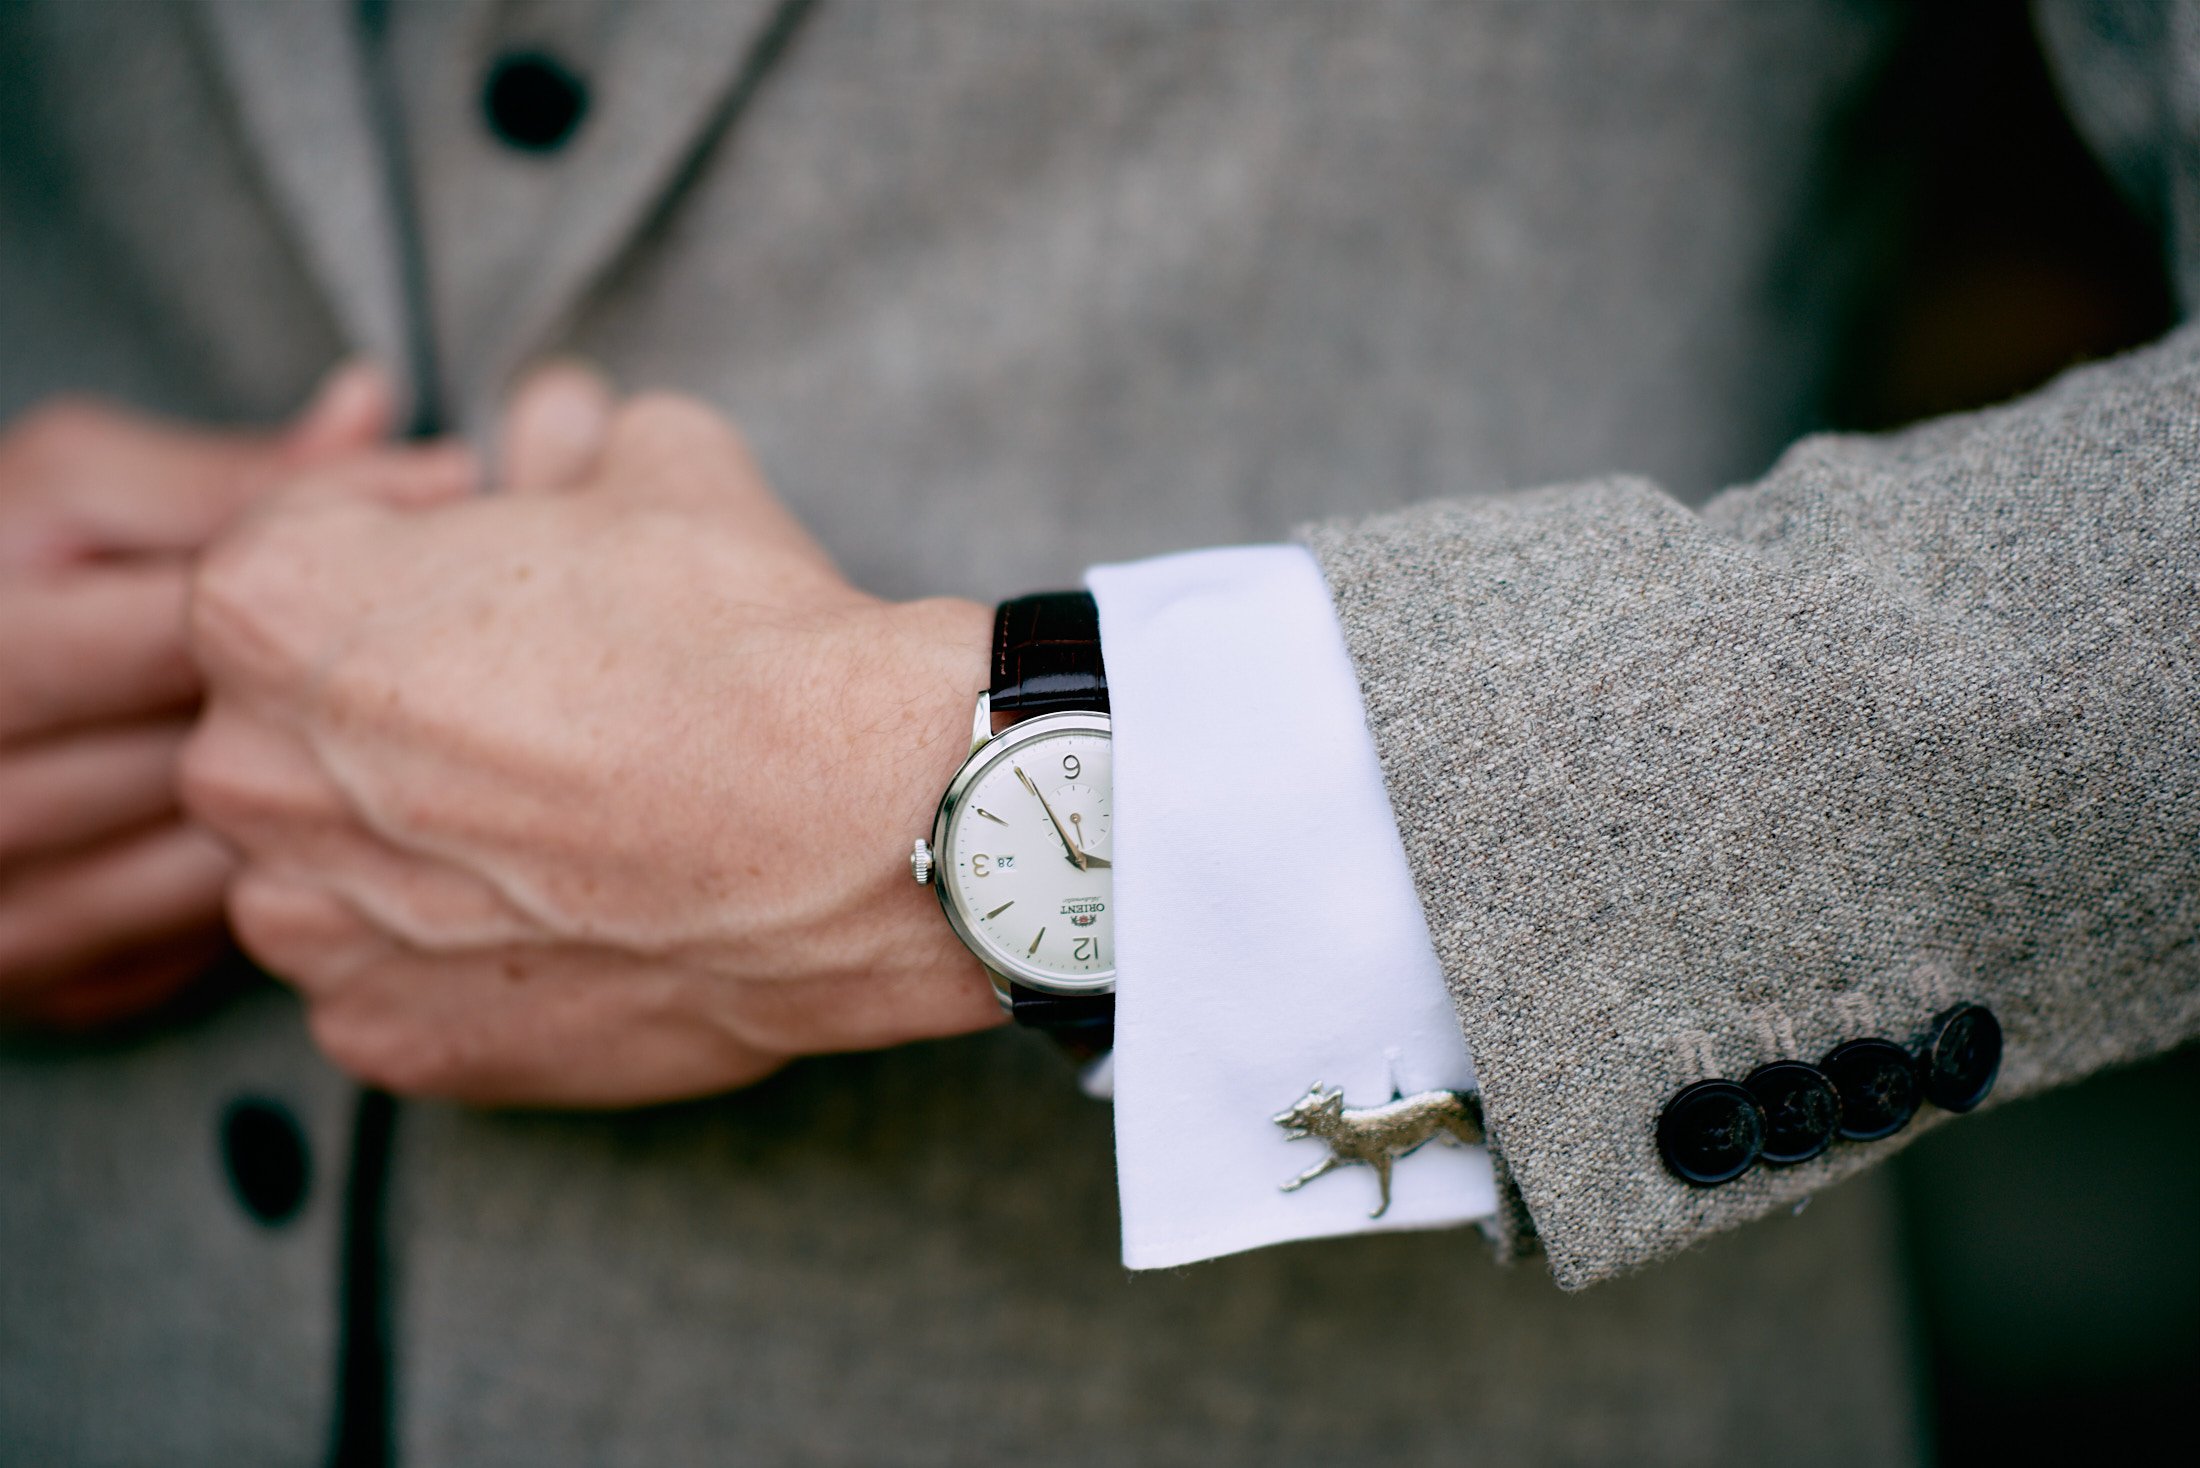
(1686, 778)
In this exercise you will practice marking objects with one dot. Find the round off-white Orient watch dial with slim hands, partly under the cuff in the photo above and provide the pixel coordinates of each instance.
(1026, 855)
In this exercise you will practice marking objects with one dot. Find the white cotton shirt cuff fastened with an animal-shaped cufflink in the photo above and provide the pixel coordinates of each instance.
(1268, 932)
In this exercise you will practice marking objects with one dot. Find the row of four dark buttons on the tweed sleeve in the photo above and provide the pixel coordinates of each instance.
(1864, 1091)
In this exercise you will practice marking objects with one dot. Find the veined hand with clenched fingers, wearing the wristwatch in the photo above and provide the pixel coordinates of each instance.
(591, 793)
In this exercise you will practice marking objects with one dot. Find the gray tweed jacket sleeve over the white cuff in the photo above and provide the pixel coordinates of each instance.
(1915, 721)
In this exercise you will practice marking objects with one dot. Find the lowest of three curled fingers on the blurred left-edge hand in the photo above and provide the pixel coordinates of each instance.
(118, 897)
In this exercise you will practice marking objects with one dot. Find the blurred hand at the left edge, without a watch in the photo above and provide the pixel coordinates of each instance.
(109, 901)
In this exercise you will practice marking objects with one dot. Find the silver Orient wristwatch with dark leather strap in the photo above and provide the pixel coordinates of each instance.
(1020, 851)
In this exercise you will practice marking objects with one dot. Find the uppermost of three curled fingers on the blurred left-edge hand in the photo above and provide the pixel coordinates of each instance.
(93, 644)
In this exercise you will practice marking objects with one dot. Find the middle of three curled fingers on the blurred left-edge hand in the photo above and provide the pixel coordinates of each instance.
(65, 793)
